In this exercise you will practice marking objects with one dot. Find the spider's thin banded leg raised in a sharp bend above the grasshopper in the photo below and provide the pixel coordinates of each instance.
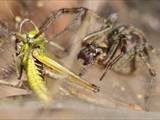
(53, 16)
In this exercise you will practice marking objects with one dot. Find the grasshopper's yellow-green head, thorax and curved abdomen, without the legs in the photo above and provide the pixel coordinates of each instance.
(34, 77)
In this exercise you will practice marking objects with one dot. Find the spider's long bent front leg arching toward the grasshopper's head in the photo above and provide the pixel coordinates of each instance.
(80, 12)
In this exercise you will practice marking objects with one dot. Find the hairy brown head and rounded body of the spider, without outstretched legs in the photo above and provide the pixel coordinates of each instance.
(123, 40)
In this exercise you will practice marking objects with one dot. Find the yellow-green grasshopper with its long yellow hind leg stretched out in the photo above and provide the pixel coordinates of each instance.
(32, 50)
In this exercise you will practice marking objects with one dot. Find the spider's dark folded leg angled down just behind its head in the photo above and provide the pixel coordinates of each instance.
(117, 48)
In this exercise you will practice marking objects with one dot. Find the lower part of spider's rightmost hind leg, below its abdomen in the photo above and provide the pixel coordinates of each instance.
(145, 57)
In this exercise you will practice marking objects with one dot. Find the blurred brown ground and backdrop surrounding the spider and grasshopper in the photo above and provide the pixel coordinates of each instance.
(120, 92)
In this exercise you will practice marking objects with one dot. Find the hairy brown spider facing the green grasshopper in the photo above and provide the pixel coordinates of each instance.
(122, 44)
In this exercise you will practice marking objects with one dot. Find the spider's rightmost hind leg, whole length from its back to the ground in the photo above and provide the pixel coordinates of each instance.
(143, 52)
